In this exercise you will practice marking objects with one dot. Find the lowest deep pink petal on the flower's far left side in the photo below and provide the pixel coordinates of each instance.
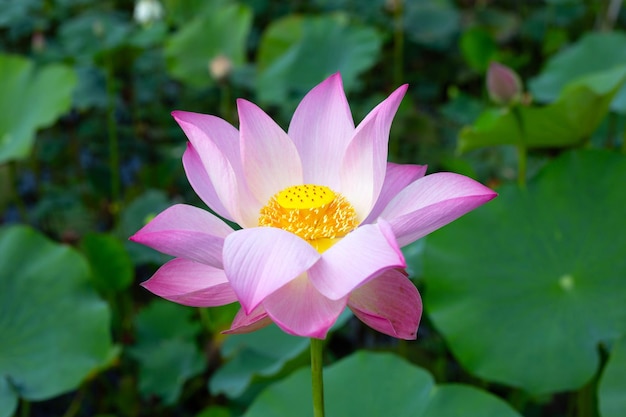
(191, 283)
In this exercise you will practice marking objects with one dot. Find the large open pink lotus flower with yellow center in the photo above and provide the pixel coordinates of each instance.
(322, 213)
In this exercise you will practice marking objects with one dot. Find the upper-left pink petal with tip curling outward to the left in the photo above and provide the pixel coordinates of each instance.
(217, 145)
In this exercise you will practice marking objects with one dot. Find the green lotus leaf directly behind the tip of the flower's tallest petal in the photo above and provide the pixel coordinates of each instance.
(297, 51)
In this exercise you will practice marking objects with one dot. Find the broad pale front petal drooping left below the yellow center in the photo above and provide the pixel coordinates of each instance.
(258, 261)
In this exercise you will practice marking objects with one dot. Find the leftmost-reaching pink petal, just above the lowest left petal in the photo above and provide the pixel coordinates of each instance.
(186, 232)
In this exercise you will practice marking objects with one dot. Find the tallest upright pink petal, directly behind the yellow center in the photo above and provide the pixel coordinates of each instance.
(321, 128)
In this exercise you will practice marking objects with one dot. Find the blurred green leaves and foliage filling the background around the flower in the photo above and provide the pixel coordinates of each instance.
(523, 299)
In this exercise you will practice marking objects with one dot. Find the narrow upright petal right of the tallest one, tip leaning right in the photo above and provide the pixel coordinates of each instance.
(365, 161)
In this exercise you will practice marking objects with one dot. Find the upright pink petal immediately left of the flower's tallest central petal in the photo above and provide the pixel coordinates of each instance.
(270, 159)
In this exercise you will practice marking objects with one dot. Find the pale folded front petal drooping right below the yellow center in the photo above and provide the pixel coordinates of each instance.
(360, 256)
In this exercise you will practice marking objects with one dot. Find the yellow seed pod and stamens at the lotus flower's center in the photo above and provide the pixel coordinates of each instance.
(314, 212)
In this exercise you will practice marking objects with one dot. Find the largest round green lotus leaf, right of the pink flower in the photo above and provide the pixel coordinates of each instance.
(525, 288)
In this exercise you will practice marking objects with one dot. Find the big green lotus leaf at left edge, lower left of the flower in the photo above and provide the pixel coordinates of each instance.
(55, 329)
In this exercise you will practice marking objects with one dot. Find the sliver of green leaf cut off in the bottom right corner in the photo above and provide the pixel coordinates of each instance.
(612, 387)
